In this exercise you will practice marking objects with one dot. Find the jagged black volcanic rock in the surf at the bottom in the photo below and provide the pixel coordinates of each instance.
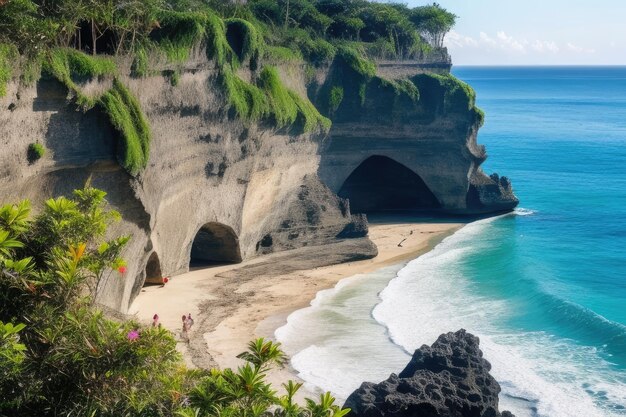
(448, 379)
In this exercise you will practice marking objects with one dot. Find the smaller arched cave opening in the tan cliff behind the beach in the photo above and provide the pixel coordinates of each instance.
(215, 244)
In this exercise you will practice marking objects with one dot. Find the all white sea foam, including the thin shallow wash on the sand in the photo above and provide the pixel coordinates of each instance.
(339, 341)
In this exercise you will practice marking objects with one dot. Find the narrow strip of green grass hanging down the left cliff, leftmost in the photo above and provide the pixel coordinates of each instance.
(126, 116)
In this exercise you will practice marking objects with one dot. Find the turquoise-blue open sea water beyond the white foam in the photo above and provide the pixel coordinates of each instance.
(560, 134)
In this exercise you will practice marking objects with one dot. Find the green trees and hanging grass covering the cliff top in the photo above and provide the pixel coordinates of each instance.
(62, 34)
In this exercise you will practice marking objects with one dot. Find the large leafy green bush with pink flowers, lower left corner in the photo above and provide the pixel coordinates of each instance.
(66, 358)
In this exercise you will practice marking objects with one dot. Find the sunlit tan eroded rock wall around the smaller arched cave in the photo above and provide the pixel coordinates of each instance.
(205, 167)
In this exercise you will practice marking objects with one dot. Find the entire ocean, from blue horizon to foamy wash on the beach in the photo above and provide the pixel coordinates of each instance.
(544, 288)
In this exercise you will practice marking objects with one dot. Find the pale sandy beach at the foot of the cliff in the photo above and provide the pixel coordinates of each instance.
(233, 304)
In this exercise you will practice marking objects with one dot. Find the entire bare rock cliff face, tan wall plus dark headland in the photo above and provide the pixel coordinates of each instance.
(222, 190)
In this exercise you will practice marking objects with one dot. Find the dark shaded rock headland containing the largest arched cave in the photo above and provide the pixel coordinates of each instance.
(390, 152)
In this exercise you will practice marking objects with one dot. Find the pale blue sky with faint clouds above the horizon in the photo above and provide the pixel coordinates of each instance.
(536, 32)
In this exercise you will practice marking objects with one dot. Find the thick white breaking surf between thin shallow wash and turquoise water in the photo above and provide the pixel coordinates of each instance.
(555, 377)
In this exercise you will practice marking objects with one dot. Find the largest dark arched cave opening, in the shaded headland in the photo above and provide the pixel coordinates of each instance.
(381, 184)
